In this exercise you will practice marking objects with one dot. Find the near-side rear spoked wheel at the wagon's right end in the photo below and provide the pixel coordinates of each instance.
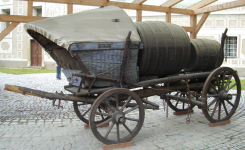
(221, 91)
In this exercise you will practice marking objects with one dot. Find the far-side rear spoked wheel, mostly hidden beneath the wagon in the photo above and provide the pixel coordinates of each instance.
(178, 105)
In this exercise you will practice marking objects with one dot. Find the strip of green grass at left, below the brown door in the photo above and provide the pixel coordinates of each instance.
(26, 71)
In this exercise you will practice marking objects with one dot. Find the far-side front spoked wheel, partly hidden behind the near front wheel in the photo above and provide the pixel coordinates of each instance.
(82, 111)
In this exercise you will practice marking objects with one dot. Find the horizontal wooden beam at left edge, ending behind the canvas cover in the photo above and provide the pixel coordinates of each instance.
(18, 18)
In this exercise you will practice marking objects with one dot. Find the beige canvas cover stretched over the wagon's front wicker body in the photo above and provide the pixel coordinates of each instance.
(106, 24)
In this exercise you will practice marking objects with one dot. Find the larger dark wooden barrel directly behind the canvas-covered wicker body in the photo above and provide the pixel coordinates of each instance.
(166, 48)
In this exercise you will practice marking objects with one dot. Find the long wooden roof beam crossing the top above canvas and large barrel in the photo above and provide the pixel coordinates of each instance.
(123, 5)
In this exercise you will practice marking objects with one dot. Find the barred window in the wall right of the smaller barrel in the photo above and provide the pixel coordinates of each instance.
(230, 47)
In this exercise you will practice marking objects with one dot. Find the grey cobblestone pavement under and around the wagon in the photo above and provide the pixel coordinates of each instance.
(29, 122)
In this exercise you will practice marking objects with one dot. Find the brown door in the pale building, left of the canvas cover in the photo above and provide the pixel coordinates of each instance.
(36, 54)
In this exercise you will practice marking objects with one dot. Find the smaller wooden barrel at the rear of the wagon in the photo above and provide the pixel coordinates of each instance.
(205, 55)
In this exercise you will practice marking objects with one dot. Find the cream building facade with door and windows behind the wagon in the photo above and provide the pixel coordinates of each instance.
(19, 50)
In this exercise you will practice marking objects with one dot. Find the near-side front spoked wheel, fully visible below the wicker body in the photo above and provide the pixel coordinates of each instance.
(126, 116)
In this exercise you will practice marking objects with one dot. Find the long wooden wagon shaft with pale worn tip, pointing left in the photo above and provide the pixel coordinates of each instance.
(51, 96)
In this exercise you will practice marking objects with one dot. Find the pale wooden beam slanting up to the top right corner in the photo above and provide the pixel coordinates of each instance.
(219, 7)
